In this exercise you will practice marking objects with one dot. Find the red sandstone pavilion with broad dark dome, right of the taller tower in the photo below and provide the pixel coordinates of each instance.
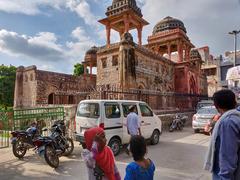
(169, 36)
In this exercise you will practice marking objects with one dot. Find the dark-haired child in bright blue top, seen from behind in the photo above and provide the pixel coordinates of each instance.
(141, 168)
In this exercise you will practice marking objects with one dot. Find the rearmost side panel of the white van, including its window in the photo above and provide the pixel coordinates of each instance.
(113, 124)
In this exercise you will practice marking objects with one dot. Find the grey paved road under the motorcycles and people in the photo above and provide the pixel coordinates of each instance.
(178, 156)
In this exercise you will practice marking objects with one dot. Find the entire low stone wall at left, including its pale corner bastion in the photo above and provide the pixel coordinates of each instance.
(33, 87)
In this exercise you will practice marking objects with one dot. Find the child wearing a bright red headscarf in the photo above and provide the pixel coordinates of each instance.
(98, 156)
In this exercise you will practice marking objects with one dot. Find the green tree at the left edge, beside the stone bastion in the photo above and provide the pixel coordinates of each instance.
(7, 85)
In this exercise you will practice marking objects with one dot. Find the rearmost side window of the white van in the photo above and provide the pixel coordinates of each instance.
(112, 110)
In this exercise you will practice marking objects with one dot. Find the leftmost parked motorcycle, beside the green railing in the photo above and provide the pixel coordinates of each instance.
(23, 140)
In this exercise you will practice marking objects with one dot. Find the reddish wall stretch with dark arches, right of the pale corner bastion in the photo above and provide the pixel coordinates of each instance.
(62, 86)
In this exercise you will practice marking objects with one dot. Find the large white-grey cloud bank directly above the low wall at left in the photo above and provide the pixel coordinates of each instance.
(44, 50)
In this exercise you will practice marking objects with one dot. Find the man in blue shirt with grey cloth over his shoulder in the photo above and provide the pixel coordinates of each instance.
(223, 156)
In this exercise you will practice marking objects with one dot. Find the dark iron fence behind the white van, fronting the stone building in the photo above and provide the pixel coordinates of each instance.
(160, 102)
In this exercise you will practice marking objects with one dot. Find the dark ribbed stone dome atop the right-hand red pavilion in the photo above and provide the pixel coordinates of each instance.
(168, 23)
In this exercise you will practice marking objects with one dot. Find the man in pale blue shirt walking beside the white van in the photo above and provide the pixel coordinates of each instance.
(133, 124)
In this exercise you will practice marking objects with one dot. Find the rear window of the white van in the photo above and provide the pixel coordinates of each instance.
(90, 110)
